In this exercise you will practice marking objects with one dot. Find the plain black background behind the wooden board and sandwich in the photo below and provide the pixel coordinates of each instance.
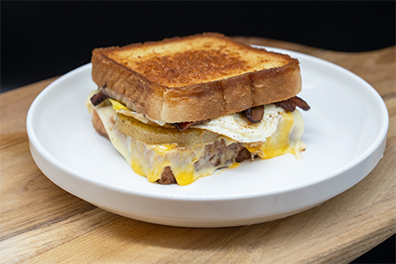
(40, 40)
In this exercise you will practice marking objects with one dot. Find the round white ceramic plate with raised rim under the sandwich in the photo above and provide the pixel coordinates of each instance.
(345, 135)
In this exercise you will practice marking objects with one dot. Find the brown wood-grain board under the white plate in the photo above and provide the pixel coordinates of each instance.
(42, 223)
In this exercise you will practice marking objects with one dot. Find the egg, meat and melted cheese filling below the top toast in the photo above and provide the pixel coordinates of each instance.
(164, 154)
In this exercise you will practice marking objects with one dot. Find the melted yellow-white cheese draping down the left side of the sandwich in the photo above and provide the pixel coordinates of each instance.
(150, 160)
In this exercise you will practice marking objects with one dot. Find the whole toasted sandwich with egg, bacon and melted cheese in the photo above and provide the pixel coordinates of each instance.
(182, 108)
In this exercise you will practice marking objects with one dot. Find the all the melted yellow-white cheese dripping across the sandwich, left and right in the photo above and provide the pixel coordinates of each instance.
(150, 160)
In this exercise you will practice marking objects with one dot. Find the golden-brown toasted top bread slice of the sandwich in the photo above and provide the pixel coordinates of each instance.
(193, 78)
